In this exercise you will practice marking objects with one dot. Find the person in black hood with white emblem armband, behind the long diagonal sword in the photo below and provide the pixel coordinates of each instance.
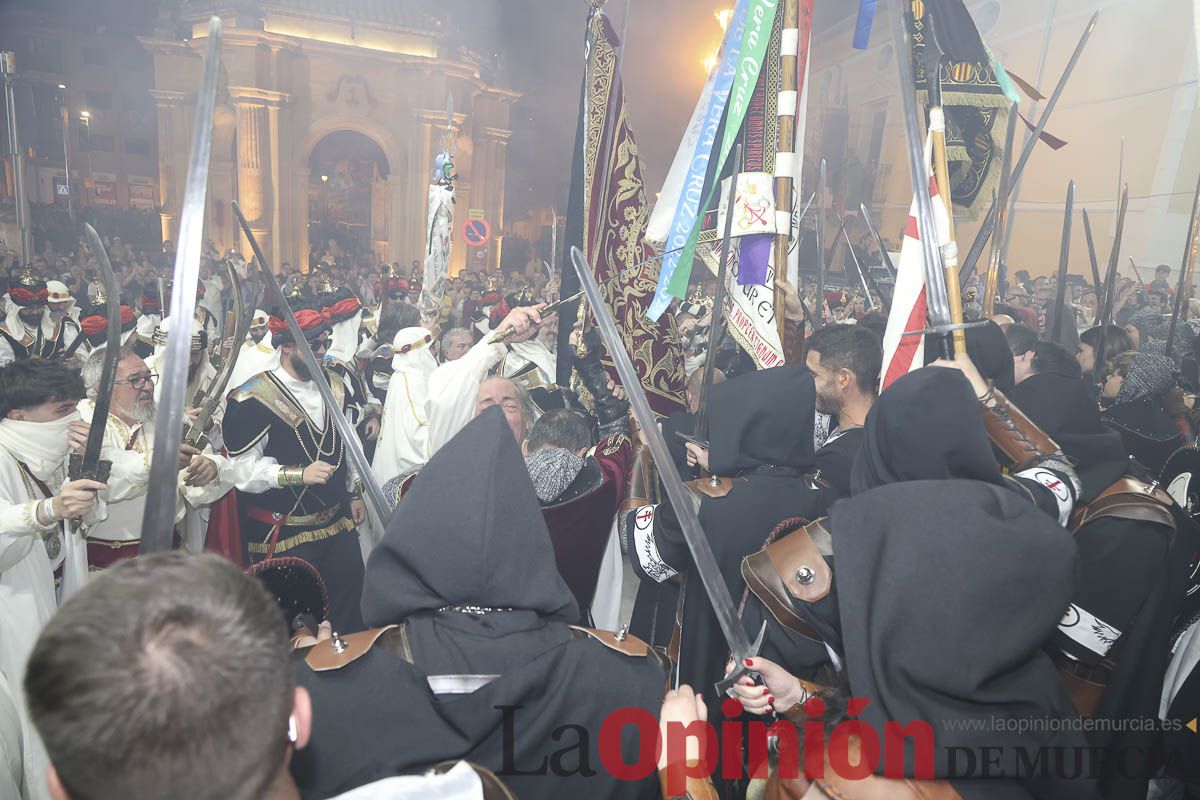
(761, 447)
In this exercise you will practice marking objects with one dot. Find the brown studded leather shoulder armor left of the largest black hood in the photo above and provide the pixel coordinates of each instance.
(791, 570)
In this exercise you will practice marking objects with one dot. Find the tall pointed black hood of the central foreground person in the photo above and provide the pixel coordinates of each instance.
(469, 533)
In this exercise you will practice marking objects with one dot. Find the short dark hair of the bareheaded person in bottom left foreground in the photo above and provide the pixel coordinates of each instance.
(167, 677)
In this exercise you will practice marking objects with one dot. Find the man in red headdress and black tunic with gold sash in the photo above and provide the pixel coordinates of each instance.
(301, 498)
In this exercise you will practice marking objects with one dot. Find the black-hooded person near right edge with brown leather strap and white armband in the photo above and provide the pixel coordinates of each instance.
(1113, 646)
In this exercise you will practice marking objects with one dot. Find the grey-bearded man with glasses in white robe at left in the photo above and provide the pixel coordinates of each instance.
(205, 477)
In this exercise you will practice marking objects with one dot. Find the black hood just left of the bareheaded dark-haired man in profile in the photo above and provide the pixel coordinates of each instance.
(761, 418)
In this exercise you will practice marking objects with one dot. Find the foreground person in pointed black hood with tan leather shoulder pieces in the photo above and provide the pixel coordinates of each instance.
(476, 658)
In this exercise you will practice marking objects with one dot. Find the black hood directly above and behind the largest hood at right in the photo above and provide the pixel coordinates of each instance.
(925, 428)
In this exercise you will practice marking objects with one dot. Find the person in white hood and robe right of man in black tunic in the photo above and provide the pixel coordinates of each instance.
(405, 435)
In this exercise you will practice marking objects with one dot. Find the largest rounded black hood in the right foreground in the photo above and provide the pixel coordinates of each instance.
(932, 625)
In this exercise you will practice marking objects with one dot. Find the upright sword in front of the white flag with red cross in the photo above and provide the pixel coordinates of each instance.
(938, 305)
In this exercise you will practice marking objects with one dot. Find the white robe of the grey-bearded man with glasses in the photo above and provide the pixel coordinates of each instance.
(129, 482)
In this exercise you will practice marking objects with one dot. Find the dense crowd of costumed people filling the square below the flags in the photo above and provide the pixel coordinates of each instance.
(994, 545)
